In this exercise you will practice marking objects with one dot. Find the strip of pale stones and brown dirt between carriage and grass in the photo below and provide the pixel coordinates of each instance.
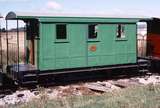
(80, 89)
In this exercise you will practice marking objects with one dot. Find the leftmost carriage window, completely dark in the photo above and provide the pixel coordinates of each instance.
(61, 31)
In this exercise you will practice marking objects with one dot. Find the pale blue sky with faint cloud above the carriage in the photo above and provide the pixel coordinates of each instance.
(138, 7)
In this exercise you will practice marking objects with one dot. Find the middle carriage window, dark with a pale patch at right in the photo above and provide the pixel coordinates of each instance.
(92, 31)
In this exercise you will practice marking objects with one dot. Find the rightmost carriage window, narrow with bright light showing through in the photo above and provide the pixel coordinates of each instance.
(120, 31)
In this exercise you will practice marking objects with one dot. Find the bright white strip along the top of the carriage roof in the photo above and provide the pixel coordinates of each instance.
(62, 14)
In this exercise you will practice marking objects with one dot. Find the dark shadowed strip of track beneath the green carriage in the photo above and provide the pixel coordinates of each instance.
(67, 79)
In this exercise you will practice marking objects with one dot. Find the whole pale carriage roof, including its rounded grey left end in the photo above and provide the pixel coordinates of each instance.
(32, 15)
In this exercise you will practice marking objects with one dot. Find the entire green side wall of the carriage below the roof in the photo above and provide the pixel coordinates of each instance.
(78, 51)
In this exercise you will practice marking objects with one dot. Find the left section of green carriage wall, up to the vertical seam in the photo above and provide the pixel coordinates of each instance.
(62, 54)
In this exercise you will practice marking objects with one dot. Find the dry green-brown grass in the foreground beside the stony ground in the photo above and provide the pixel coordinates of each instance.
(135, 97)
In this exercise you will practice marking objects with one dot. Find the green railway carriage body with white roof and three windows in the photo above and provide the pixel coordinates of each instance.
(63, 41)
